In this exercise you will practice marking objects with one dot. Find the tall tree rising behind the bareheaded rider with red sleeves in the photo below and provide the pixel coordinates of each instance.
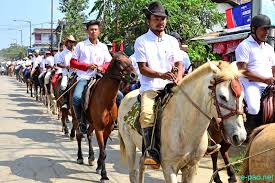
(74, 17)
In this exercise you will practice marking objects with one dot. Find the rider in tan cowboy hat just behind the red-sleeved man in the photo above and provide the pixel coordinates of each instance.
(64, 63)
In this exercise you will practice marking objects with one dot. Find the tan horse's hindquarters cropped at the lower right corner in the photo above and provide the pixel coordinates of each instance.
(260, 166)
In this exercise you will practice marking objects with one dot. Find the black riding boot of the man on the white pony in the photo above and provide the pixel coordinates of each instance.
(151, 154)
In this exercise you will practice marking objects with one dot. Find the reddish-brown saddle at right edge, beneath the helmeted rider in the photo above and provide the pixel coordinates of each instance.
(268, 104)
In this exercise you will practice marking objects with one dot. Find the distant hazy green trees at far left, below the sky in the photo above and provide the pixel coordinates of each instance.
(14, 52)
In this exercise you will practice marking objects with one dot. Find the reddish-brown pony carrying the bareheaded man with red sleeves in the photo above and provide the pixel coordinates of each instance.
(102, 109)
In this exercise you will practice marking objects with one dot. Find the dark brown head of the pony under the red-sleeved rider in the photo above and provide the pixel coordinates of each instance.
(121, 68)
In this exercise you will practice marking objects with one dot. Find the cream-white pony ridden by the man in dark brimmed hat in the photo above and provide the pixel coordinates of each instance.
(184, 121)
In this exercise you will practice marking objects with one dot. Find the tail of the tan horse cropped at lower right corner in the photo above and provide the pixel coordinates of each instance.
(245, 166)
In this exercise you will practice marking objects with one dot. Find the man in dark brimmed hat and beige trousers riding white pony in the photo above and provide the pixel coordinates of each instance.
(156, 54)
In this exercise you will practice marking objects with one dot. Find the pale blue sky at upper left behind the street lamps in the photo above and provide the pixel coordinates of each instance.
(36, 11)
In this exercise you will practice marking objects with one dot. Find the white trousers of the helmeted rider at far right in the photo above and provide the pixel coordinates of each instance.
(252, 95)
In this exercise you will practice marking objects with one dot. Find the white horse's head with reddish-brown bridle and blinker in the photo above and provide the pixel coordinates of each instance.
(227, 93)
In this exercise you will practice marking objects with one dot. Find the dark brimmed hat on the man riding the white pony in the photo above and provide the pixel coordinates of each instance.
(155, 8)
